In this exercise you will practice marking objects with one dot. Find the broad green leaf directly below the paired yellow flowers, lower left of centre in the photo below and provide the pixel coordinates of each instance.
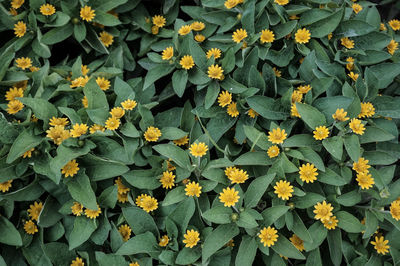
(140, 221)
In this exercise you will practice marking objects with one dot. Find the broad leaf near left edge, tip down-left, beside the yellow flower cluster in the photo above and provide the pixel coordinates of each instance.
(24, 142)
